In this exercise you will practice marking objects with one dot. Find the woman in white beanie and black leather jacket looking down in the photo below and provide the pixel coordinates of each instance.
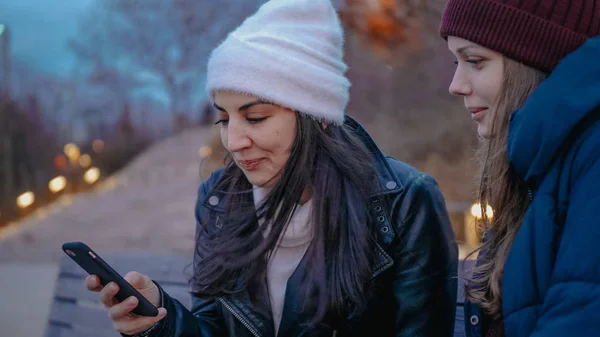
(310, 230)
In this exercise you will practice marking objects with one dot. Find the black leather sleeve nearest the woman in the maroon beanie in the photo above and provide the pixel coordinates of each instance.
(426, 262)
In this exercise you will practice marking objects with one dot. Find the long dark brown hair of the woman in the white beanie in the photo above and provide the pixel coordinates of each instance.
(335, 166)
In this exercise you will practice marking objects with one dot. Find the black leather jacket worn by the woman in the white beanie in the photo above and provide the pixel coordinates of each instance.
(414, 269)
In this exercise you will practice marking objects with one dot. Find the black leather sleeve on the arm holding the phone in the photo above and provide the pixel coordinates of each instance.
(204, 319)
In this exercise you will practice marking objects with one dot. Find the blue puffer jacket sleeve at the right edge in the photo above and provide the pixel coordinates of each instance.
(572, 303)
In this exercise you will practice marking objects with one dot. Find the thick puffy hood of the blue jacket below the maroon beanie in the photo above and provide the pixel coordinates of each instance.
(538, 129)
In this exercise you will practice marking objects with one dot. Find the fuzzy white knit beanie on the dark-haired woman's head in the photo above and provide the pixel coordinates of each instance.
(290, 52)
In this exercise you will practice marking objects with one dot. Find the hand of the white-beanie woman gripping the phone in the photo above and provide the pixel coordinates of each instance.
(124, 321)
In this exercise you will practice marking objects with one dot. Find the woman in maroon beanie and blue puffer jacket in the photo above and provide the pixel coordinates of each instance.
(529, 73)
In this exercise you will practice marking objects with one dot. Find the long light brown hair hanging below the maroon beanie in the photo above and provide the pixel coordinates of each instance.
(502, 189)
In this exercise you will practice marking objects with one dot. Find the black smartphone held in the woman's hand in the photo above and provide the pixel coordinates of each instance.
(93, 264)
